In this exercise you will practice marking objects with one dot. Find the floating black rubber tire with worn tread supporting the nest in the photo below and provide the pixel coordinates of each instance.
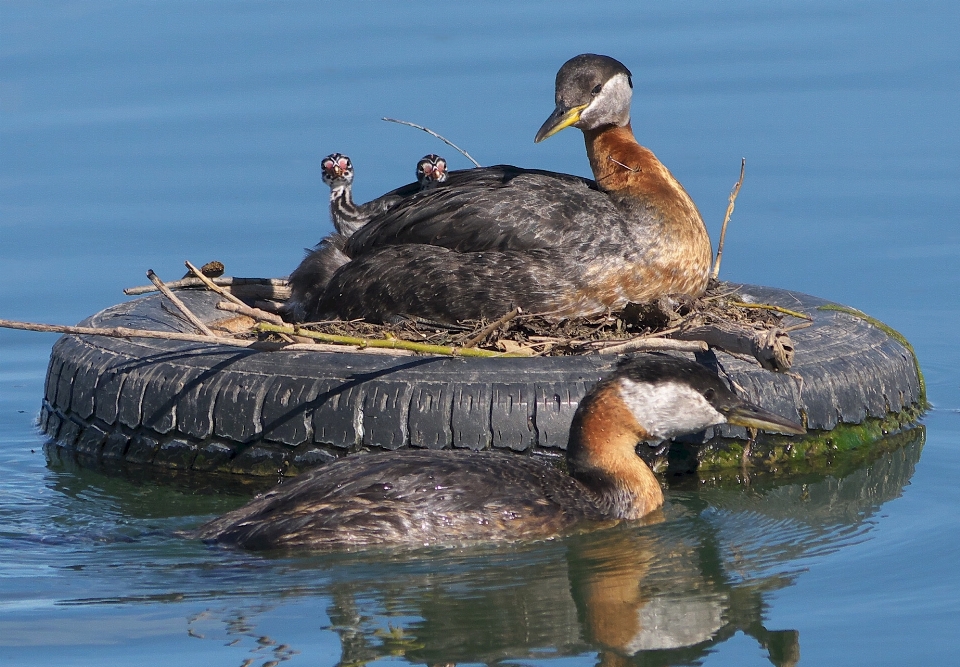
(195, 406)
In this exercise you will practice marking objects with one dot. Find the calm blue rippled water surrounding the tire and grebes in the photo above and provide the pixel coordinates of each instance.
(135, 135)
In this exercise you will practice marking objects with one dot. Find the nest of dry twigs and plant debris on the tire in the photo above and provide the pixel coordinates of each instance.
(717, 319)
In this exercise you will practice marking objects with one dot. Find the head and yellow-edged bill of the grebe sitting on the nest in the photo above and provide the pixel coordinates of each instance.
(591, 91)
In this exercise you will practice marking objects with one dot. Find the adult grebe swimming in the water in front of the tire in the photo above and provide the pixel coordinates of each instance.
(447, 497)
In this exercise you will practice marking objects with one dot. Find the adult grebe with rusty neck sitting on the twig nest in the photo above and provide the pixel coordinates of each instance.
(553, 244)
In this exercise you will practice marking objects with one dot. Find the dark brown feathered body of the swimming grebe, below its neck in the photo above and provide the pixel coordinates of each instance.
(411, 496)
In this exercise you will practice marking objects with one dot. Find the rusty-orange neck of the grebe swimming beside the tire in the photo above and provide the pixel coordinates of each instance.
(601, 454)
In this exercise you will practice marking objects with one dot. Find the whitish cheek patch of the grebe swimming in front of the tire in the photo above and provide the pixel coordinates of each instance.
(668, 409)
